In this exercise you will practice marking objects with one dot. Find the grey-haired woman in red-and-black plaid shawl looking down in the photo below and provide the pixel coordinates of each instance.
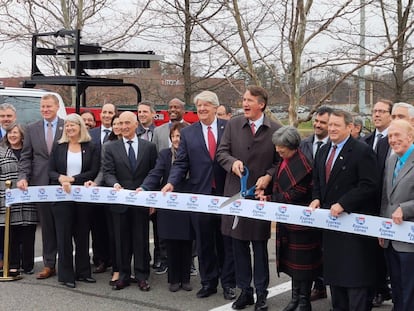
(298, 248)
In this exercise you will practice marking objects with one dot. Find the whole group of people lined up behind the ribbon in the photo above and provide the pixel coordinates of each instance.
(334, 168)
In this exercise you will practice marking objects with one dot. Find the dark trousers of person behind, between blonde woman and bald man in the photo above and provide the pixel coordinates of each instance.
(99, 232)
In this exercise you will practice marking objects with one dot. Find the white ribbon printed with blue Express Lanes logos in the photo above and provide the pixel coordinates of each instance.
(272, 211)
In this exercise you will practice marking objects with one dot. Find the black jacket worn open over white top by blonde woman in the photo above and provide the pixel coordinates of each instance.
(58, 163)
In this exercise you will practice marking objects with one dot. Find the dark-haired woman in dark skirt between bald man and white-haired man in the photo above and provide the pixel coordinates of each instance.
(173, 226)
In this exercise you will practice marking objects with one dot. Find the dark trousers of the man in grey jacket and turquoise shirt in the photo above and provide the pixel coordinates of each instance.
(401, 269)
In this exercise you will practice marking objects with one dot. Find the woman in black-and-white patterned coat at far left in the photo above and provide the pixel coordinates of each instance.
(23, 217)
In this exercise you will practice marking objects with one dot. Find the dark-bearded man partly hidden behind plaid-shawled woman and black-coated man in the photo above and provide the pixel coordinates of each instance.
(310, 145)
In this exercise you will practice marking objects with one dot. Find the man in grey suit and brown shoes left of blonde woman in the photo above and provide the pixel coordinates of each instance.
(33, 170)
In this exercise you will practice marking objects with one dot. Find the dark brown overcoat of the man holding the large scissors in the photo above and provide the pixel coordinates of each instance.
(259, 155)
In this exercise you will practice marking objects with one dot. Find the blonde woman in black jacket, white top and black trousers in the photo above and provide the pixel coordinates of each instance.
(73, 161)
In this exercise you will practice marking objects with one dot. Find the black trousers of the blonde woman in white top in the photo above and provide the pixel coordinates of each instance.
(72, 222)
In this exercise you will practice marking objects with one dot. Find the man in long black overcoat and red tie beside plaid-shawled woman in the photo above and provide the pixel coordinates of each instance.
(345, 179)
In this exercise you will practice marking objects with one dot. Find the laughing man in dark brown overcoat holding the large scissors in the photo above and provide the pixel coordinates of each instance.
(247, 140)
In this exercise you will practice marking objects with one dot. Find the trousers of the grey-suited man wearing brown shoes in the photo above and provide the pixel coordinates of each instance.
(49, 240)
